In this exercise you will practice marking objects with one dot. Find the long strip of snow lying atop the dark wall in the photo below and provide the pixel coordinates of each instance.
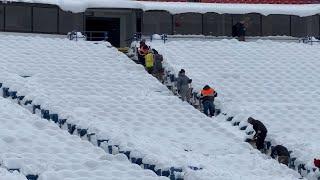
(183, 7)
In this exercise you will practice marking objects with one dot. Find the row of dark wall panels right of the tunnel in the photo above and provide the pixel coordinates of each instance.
(214, 24)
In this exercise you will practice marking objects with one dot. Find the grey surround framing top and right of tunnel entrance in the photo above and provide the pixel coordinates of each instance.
(127, 21)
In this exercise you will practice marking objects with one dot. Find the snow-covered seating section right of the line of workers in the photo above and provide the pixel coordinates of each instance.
(277, 83)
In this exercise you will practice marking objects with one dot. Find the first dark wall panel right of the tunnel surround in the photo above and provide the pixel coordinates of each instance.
(157, 22)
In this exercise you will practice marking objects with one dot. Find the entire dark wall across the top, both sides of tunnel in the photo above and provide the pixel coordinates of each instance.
(43, 18)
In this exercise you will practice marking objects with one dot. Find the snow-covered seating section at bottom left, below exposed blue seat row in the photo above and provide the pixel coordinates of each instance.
(38, 147)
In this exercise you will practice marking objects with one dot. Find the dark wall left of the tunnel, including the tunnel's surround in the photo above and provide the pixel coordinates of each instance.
(45, 18)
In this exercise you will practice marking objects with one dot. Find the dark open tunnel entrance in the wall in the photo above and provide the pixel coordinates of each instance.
(99, 25)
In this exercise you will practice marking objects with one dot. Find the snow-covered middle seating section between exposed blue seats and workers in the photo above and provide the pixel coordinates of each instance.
(101, 89)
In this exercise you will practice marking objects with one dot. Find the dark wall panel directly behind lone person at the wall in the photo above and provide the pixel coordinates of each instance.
(253, 23)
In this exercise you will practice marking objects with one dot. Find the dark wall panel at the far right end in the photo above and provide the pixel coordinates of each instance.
(302, 26)
